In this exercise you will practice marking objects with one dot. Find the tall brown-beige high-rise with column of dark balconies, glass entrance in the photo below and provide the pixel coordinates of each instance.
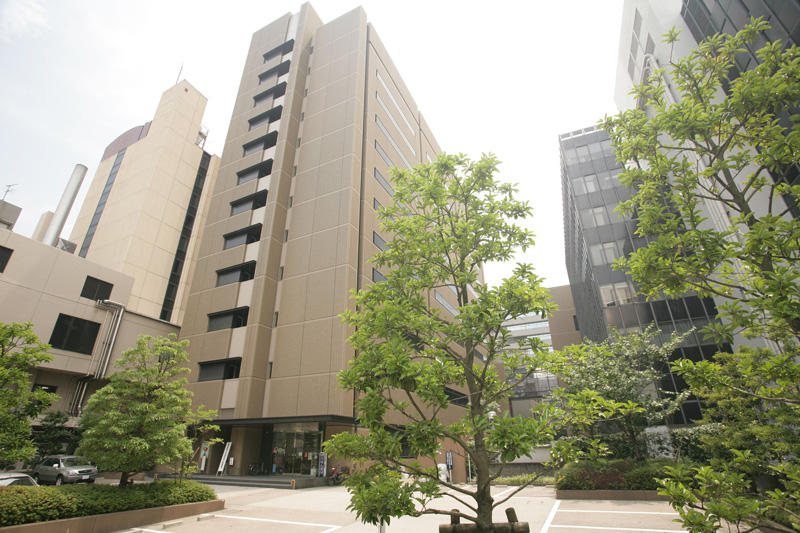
(321, 118)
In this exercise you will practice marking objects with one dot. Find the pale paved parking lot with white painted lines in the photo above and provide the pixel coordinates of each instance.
(324, 510)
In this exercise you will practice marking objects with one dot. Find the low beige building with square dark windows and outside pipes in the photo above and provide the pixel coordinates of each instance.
(58, 292)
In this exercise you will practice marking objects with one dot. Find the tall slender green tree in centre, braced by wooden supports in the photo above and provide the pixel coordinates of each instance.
(449, 218)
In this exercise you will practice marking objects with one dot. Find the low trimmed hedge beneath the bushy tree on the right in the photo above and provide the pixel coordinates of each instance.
(615, 474)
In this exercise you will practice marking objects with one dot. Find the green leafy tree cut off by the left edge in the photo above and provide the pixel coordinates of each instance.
(20, 353)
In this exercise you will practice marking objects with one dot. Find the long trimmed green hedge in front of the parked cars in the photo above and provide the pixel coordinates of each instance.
(22, 505)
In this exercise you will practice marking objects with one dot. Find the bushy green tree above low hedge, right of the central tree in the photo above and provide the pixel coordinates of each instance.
(619, 379)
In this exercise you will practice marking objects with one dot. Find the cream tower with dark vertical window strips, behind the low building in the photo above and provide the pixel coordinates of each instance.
(139, 214)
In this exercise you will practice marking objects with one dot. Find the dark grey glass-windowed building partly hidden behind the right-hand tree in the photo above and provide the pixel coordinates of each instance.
(595, 236)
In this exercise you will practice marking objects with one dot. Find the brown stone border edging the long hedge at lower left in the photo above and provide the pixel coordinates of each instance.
(106, 523)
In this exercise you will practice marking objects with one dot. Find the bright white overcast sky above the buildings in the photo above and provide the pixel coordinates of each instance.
(505, 77)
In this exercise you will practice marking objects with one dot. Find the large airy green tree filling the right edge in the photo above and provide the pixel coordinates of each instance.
(705, 151)
